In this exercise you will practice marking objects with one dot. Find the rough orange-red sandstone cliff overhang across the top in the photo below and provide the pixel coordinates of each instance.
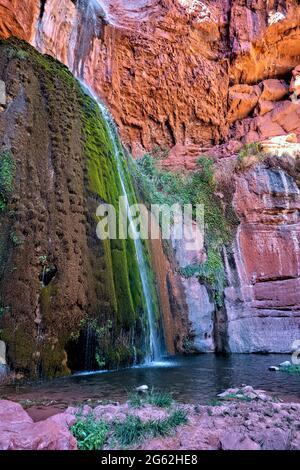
(166, 68)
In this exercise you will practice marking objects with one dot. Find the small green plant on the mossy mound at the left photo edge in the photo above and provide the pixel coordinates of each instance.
(7, 173)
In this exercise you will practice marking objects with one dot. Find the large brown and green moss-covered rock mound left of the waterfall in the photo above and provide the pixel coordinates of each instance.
(61, 288)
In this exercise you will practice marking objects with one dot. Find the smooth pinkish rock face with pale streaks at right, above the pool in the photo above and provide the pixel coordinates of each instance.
(263, 301)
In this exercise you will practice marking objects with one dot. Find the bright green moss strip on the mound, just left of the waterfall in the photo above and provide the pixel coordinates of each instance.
(121, 274)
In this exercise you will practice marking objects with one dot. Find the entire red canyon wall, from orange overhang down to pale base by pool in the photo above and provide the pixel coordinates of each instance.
(197, 78)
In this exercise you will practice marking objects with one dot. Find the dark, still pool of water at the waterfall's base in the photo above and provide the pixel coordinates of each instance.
(196, 379)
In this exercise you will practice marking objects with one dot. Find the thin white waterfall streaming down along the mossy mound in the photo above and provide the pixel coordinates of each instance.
(91, 13)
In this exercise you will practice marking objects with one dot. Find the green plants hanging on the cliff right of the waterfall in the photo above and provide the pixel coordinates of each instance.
(198, 188)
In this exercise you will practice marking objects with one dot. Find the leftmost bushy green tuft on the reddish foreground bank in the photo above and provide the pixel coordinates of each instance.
(90, 434)
